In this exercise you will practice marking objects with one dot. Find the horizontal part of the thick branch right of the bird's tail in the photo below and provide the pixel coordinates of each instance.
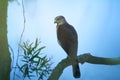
(98, 60)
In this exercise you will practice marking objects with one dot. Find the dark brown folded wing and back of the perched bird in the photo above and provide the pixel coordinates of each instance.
(67, 37)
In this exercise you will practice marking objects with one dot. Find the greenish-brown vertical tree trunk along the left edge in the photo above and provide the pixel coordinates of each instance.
(5, 60)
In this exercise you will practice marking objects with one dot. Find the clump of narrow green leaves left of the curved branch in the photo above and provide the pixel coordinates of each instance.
(33, 61)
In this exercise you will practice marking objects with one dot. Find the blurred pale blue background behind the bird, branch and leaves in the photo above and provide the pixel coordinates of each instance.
(97, 23)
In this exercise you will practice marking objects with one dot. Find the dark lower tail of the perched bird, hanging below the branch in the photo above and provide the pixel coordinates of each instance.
(76, 70)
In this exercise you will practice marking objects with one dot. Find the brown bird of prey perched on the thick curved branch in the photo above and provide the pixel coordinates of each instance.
(68, 40)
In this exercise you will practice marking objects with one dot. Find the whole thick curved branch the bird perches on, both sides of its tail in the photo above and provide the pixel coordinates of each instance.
(82, 59)
